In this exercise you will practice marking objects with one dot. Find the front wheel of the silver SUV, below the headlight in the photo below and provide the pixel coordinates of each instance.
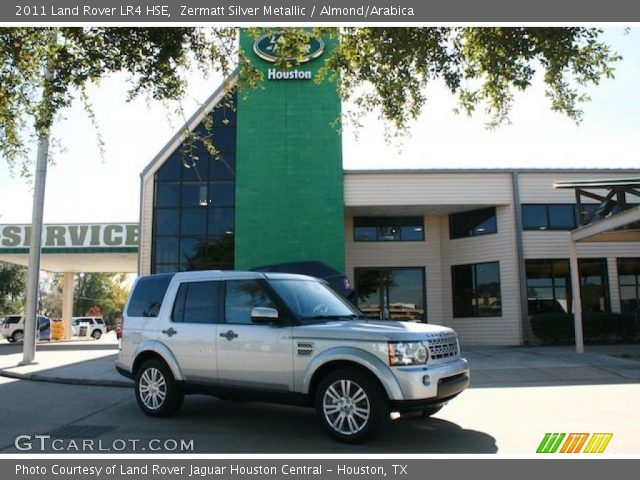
(352, 405)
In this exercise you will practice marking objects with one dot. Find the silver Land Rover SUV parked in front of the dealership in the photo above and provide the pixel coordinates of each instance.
(282, 338)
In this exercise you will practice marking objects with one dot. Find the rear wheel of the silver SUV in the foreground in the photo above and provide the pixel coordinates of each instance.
(157, 392)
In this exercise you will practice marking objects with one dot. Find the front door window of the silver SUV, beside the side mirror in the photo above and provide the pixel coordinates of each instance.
(241, 297)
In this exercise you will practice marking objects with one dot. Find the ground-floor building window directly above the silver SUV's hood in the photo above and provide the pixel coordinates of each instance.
(395, 293)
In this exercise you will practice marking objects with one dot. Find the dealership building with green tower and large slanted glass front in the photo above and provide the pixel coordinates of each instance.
(476, 250)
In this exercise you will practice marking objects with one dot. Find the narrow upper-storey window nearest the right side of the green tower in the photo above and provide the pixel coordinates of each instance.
(388, 229)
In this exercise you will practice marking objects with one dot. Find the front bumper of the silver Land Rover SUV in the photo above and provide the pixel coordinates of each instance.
(432, 384)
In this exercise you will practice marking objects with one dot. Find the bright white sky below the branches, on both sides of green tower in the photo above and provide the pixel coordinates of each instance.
(82, 187)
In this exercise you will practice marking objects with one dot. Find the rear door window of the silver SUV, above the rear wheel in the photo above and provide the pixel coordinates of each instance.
(197, 302)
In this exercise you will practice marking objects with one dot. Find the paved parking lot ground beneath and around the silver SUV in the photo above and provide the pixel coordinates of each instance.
(507, 411)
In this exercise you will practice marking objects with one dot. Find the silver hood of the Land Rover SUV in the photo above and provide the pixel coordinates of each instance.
(372, 330)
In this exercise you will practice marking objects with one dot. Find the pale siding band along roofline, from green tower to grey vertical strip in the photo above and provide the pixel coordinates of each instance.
(427, 189)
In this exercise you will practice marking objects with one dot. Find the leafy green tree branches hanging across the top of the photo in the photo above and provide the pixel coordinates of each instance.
(483, 67)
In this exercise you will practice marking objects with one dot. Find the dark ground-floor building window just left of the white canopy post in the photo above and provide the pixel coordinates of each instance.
(548, 286)
